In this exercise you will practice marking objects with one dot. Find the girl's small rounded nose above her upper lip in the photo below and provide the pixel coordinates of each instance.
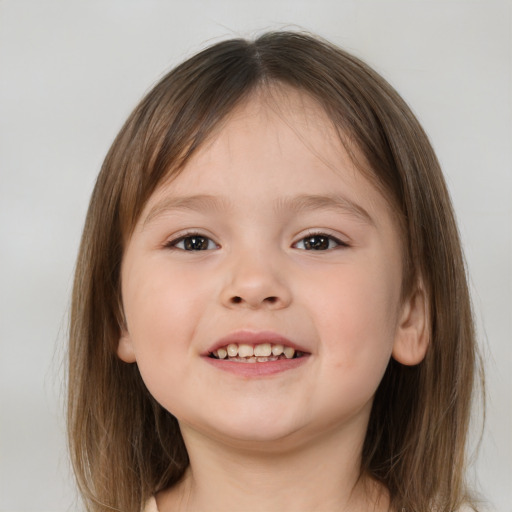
(255, 282)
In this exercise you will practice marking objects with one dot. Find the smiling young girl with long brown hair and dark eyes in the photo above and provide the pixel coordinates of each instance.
(270, 309)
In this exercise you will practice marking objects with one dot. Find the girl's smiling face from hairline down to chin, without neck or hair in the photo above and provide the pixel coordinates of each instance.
(285, 236)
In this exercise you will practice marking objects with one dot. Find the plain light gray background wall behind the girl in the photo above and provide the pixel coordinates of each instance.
(70, 73)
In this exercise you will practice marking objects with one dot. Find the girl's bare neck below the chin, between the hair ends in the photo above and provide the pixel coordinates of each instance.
(315, 475)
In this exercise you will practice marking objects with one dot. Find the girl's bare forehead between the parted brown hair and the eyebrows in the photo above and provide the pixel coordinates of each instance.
(278, 142)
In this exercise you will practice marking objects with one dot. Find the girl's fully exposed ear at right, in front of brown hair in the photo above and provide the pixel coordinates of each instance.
(413, 336)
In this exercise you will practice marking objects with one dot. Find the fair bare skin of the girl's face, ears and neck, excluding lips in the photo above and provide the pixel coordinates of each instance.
(251, 441)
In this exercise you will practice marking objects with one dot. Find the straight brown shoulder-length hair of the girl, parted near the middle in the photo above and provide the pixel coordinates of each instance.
(125, 446)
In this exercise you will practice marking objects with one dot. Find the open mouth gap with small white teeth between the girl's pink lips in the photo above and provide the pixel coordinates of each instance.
(260, 353)
